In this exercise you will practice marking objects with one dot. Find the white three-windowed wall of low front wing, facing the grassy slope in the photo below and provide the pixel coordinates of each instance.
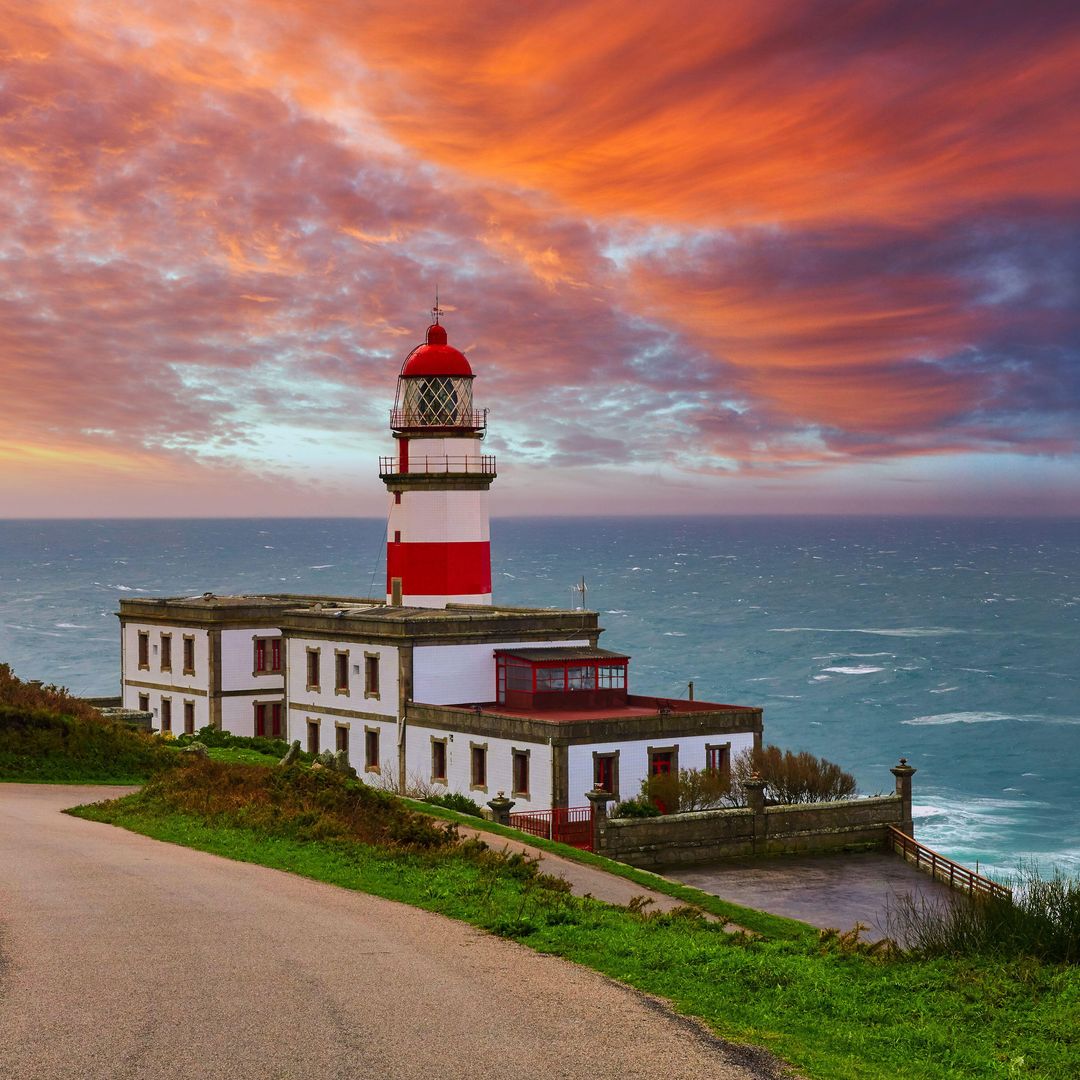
(499, 768)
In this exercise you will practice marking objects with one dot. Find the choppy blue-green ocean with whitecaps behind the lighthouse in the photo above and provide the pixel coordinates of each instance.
(951, 643)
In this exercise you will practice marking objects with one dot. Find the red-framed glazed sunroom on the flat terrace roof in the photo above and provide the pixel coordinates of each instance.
(568, 678)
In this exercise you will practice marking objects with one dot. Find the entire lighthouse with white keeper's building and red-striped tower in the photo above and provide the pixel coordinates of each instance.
(431, 686)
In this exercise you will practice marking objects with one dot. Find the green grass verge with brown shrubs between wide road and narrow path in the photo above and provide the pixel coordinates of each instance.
(835, 1015)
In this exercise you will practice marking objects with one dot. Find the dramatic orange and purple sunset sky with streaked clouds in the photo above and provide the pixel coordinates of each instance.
(705, 258)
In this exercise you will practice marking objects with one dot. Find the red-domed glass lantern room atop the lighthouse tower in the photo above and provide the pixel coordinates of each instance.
(435, 389)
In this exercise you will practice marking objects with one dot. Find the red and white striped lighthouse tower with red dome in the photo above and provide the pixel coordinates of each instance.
(439, 548)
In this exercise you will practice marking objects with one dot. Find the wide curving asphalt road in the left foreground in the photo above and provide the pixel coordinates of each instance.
(121, 957)
